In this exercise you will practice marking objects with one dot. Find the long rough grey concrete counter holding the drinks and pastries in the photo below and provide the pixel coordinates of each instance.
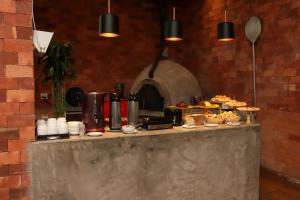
(174, 164)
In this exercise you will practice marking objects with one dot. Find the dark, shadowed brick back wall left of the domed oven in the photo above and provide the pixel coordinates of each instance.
(102, 62)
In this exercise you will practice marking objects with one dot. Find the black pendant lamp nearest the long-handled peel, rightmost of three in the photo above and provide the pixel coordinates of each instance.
(225, 29)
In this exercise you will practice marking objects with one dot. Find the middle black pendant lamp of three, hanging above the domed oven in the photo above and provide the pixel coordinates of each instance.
(173, 29)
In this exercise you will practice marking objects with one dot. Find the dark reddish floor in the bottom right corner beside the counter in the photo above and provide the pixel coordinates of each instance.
(273, 187)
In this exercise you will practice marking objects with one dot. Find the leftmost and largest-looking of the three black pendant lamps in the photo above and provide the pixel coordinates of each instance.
(108, 24)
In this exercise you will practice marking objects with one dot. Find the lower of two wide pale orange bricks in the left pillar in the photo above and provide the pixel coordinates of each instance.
(20, 96)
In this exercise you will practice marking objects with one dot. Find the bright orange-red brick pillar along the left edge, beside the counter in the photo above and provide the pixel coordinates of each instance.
(16, 97)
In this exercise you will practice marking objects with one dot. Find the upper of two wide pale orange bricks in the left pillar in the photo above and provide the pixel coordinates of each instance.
(18, 71)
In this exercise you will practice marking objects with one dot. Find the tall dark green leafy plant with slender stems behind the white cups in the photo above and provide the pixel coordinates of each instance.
(57, 66)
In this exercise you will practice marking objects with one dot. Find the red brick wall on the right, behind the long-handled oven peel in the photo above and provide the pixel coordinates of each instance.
(225, 68)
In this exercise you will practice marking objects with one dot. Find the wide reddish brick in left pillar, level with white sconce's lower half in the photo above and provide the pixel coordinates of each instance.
(18, 45)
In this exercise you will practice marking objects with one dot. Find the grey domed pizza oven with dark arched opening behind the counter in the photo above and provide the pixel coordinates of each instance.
(170, 84)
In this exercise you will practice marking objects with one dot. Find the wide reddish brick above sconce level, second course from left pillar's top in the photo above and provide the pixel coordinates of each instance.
(13, 19)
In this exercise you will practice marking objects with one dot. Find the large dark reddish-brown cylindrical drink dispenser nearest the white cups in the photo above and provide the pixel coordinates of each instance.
(93, 111)
